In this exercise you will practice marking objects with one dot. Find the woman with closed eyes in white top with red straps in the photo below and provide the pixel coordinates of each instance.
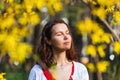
(57, 56)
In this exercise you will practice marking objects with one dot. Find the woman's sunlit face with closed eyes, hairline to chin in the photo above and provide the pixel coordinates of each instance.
(60, 37)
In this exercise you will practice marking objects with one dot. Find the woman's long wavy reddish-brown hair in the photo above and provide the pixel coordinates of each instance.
(45, 50)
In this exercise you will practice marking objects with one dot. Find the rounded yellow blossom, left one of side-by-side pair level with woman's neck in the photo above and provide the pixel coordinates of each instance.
(91, 50)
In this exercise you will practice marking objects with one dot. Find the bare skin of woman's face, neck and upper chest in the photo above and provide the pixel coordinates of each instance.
(60, 42)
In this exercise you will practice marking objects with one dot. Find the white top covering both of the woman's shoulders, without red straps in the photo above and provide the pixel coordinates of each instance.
(80, 72)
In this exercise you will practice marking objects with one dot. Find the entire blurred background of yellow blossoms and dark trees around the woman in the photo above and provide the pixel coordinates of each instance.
(95, 25)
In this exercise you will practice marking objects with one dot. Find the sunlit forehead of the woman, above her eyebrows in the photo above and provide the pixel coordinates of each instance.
(59, 27)
